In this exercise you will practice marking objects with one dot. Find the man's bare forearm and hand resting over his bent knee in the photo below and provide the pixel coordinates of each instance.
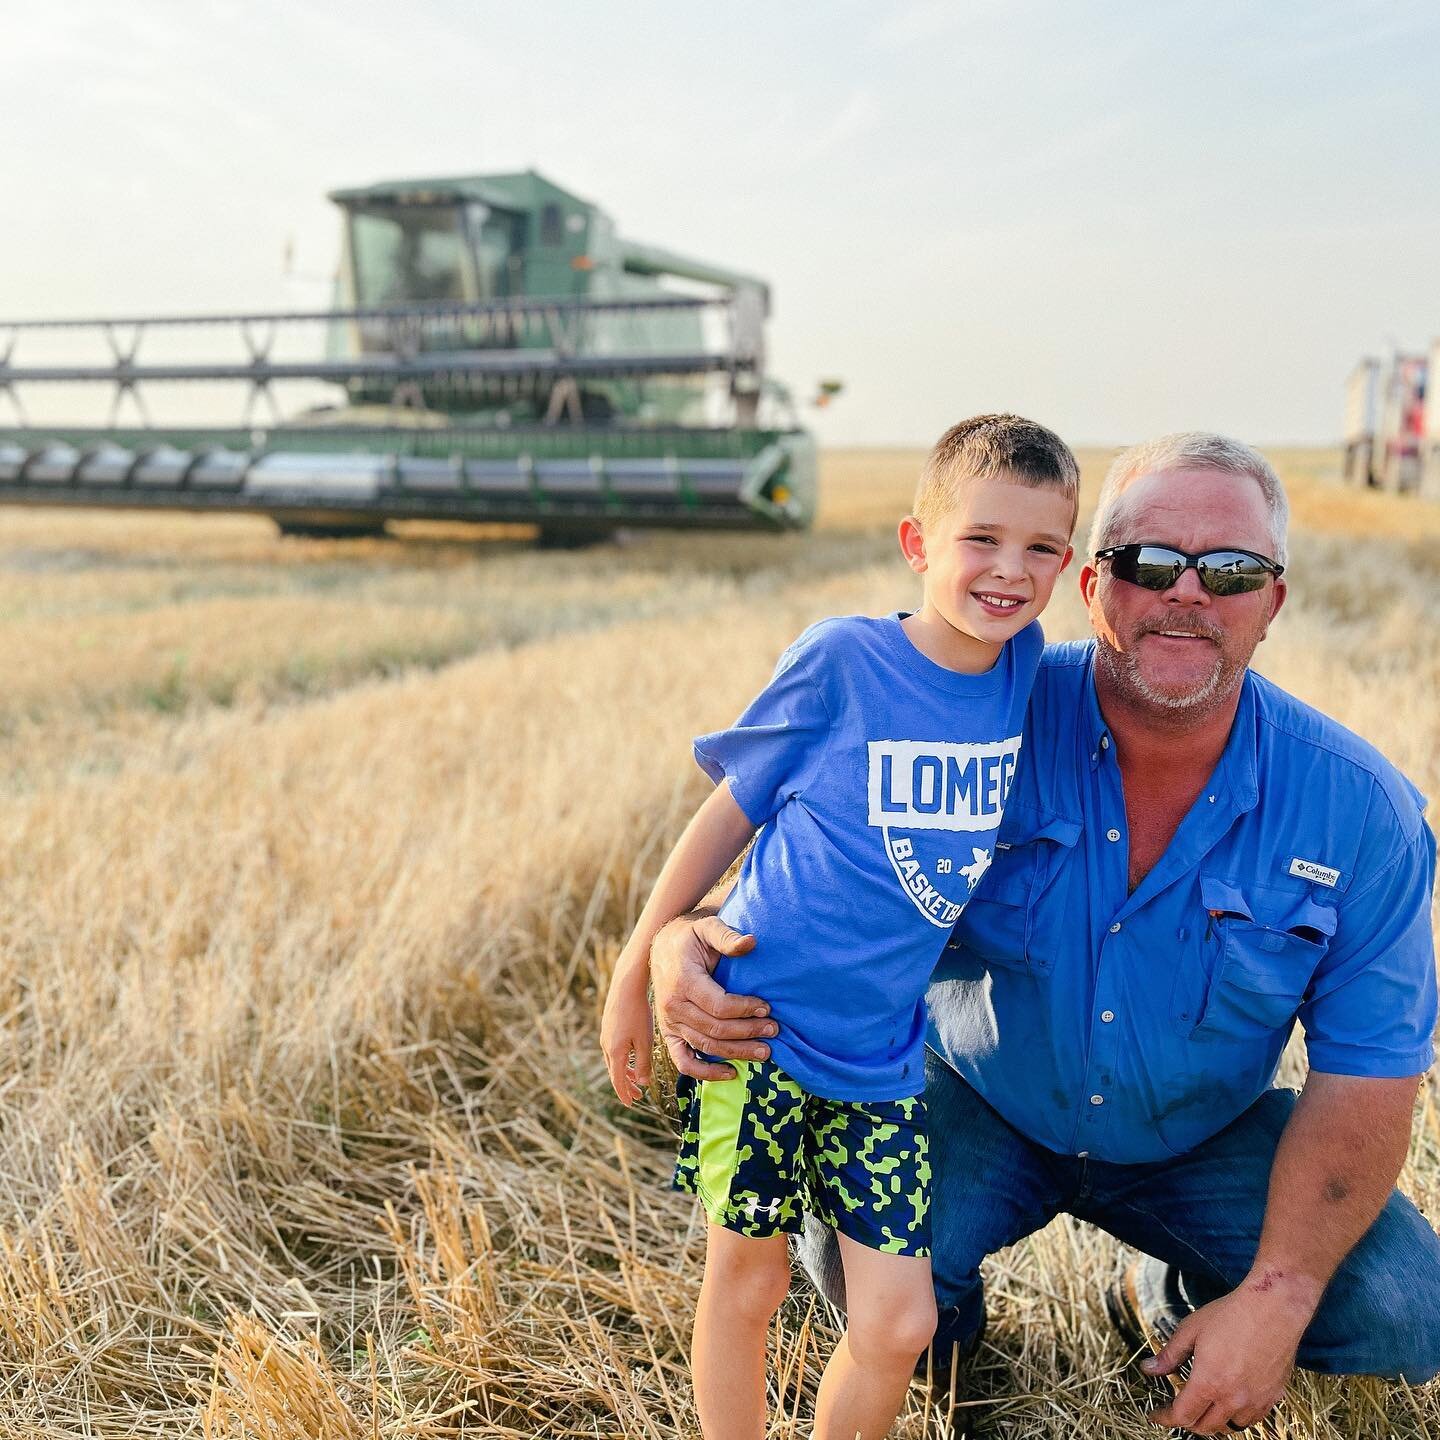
(1334, 1170)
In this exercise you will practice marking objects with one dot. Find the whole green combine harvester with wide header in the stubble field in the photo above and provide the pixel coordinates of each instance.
(500, 352)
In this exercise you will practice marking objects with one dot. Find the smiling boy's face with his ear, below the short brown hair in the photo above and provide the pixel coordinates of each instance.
(990, 565)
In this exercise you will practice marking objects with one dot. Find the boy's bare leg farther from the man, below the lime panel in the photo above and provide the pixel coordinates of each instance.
(745, 1284)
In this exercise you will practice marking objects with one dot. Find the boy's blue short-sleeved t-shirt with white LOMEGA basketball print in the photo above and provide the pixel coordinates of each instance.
(878, 780)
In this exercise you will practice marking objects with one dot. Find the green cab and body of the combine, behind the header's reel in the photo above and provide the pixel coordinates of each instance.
(490, 240)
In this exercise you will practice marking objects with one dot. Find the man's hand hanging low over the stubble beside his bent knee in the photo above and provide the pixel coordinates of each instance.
(1242, 1351)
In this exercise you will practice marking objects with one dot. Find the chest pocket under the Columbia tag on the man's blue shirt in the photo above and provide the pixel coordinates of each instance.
(1259, 951)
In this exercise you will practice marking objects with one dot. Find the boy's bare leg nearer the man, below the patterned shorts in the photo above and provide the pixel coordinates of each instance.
(891, 1320)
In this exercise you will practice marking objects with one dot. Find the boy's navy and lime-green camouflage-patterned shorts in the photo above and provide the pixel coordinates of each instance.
(760, 1151)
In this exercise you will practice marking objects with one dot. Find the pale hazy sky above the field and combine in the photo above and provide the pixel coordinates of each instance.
(1118, 218)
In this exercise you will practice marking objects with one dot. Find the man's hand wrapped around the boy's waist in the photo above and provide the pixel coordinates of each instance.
(693, 1012)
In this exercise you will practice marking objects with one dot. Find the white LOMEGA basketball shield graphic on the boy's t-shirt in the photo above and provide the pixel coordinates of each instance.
(919, 788)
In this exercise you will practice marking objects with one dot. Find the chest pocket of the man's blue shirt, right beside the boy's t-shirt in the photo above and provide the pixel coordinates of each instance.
(999, 925)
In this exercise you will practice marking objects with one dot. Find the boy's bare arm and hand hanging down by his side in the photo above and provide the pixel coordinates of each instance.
(709, 846)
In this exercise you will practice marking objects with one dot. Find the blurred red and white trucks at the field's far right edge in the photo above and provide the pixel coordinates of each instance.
(1393, 424)
